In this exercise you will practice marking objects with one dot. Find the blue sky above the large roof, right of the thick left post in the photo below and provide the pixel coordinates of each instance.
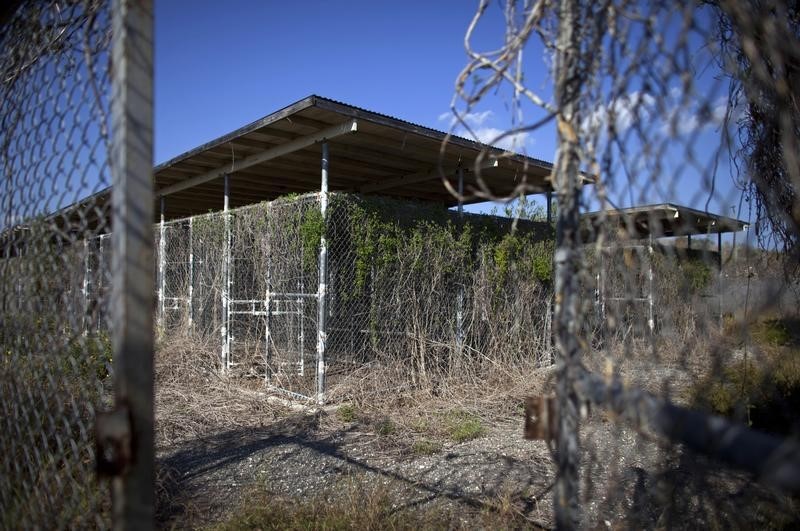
(220, 65)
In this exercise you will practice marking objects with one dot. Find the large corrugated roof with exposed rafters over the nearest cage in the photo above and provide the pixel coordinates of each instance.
(386, 156)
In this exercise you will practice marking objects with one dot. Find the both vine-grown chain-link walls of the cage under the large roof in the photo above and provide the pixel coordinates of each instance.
(410, 286)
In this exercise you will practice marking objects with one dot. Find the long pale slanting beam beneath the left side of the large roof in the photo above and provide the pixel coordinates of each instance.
(350, 126)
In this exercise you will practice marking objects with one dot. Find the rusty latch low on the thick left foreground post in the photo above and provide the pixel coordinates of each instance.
(113, 441)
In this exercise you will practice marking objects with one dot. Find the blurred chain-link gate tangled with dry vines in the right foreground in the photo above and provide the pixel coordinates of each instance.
(684, 102)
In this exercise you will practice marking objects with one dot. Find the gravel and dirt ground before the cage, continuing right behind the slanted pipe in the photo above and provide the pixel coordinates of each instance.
(627, 481)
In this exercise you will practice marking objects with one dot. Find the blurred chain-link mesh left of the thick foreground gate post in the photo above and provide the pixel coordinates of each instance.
(54, 135)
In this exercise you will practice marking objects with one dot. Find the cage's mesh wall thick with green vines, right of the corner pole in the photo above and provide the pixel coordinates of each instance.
(419, 292)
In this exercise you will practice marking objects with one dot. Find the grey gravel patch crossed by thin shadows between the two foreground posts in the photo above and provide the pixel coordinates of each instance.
(204, 479)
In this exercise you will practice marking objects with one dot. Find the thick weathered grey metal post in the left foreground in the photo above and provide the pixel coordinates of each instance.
(132, 256)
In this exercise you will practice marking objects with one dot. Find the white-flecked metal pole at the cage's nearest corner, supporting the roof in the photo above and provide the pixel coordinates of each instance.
(322, 292)
